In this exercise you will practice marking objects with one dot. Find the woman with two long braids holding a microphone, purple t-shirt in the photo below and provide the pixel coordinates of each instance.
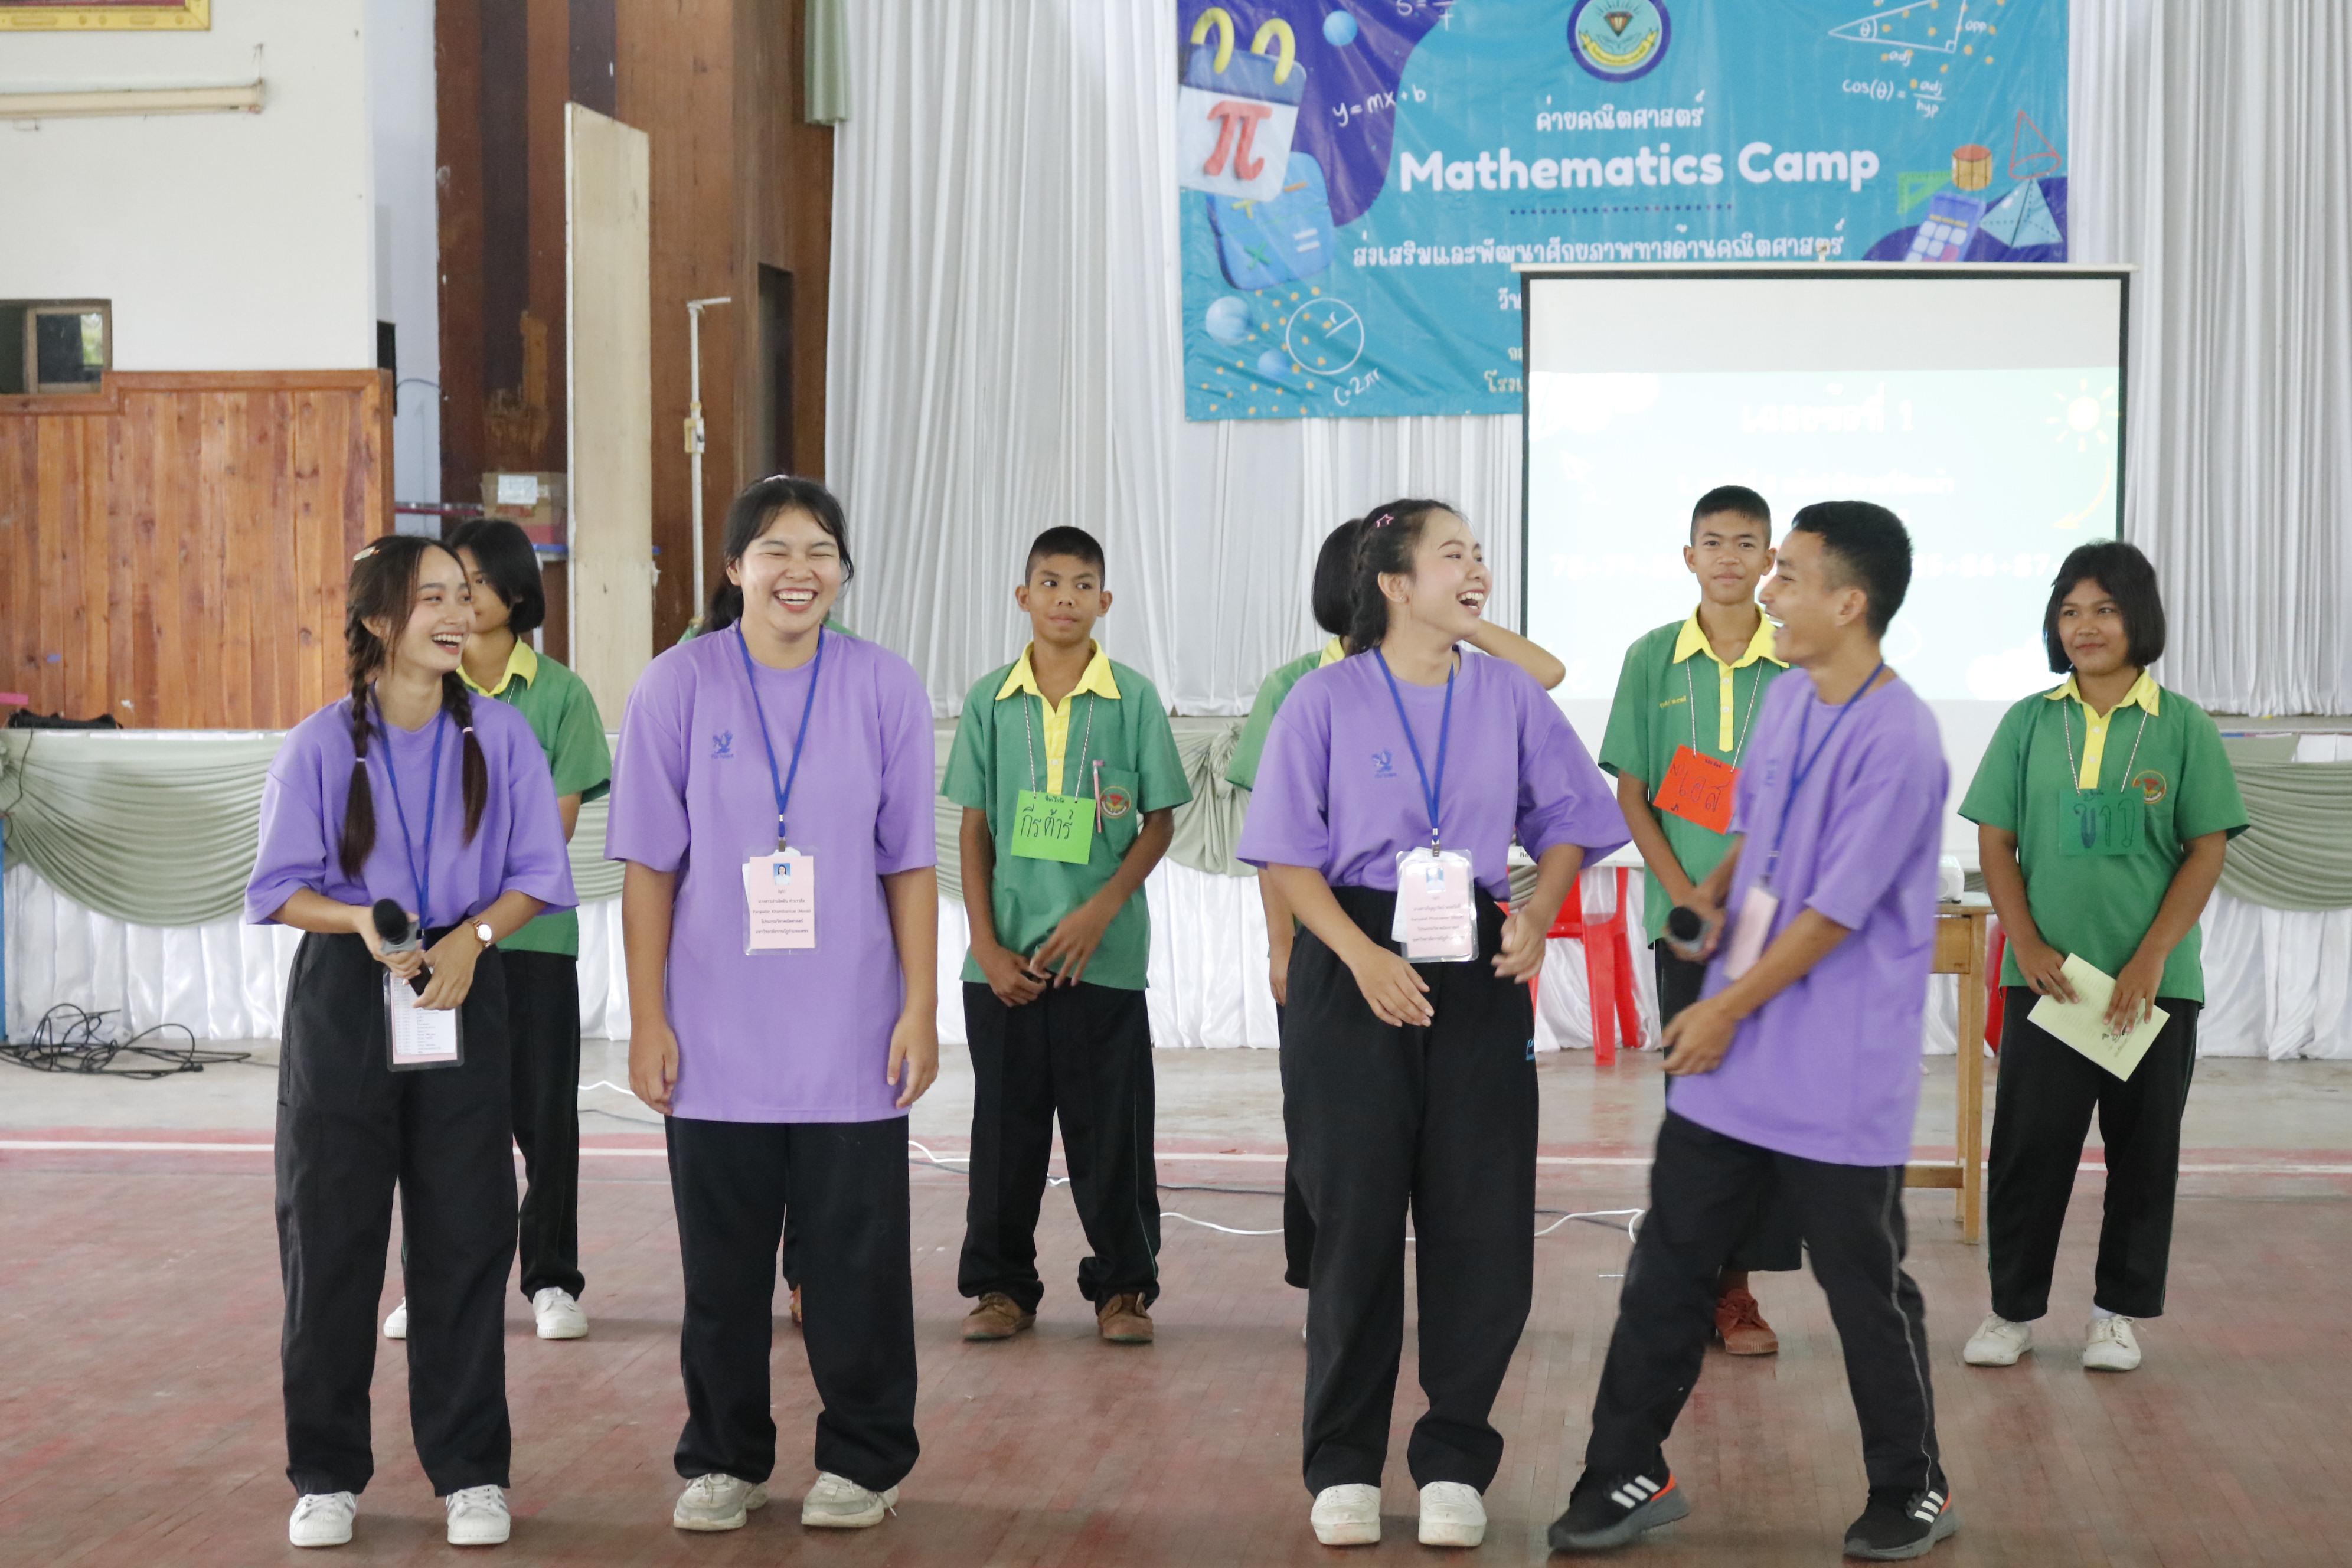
(406, 791)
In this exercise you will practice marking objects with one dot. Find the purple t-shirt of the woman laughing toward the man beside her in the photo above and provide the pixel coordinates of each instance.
(1339, 791)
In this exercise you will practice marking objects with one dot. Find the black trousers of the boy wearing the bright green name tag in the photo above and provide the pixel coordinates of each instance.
(1085, 1054)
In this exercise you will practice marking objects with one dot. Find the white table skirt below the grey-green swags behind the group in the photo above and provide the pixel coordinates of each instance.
(2278, 984)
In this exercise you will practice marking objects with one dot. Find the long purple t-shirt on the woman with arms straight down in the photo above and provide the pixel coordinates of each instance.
(780, 1036)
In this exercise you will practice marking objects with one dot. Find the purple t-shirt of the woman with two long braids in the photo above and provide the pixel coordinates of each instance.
(516, 850)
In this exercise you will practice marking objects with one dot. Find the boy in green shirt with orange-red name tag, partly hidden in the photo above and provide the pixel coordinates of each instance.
(1678, 732)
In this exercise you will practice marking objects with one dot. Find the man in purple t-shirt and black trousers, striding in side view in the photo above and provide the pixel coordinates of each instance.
(1800, 1064)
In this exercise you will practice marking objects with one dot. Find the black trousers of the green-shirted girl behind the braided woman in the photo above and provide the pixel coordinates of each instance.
(544, 1026)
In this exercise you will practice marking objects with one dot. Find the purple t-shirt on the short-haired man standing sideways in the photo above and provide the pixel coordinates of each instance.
(1831, 1068)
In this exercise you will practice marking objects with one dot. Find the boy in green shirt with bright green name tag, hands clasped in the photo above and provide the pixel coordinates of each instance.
(1067, 770)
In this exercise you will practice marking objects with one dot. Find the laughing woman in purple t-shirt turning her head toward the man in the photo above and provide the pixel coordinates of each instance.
(1410, 1085)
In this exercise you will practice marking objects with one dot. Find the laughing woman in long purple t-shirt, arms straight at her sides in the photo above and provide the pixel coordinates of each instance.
(773, 800)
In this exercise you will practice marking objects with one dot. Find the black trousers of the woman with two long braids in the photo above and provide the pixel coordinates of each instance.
(352, 1130)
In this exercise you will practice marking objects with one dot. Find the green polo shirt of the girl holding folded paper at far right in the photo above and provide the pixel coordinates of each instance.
(2102, 906)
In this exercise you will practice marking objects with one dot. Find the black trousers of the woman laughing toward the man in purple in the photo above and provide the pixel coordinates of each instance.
(1436, 1125)
